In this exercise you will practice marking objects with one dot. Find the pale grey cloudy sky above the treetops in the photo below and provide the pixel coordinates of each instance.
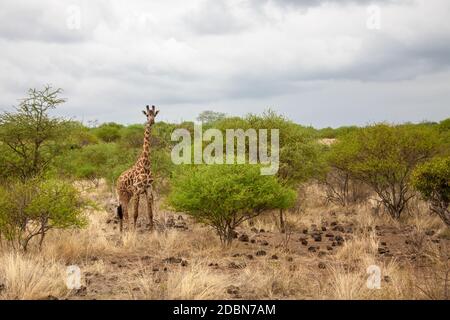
(324, 63)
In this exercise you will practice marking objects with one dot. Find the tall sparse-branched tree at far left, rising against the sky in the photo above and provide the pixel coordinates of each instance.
(29, 137)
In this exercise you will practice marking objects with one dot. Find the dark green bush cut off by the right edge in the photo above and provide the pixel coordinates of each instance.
(432, 180)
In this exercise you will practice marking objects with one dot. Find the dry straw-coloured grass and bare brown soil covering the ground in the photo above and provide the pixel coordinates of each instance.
(132, 265)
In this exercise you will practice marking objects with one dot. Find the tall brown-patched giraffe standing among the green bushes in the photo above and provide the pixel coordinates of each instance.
(138, 179)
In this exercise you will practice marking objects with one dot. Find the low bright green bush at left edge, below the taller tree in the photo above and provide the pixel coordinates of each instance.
(32, 208)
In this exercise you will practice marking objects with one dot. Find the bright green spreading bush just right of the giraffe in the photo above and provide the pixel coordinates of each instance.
(224, 196)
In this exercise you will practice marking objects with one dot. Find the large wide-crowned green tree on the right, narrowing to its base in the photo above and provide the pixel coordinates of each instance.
(383, 157)
